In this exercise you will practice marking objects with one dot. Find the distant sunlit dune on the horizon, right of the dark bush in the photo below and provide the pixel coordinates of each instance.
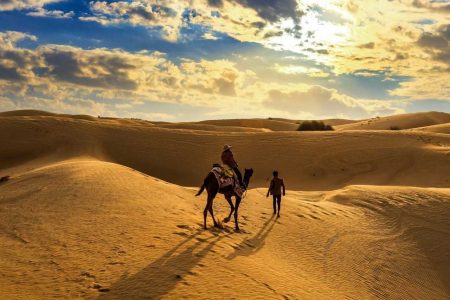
(404, 121)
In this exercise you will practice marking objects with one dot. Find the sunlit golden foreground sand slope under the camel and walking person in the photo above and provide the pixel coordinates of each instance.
(84, 228)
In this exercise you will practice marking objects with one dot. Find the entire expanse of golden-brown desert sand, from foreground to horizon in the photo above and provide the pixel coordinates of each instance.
(105, 208)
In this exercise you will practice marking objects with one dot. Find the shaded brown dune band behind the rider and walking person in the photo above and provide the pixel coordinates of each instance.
(307, 160)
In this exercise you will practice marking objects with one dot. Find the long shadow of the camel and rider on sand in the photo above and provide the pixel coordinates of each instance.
(162, 275)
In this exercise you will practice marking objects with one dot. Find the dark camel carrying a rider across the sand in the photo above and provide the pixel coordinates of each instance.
(212, 188)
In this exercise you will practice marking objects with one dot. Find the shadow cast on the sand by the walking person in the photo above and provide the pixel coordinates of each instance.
(254, 244)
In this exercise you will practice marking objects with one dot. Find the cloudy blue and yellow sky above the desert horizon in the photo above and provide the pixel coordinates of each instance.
(212, 59)
